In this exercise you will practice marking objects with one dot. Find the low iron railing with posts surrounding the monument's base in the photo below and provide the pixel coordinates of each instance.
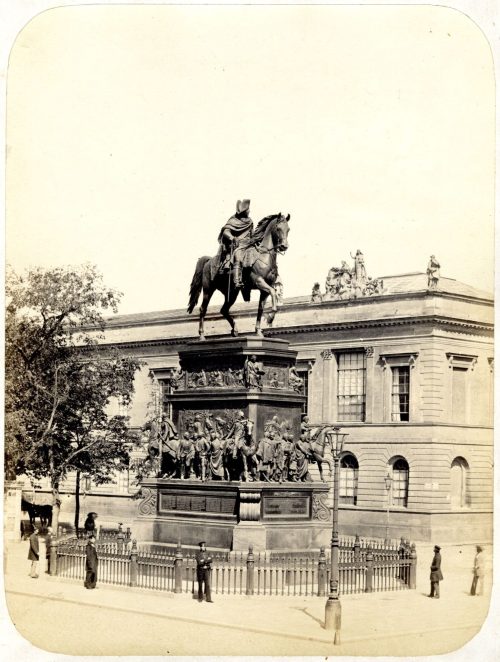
(241, 573)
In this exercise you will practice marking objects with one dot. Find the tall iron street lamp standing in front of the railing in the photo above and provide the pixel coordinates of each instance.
(333, 610)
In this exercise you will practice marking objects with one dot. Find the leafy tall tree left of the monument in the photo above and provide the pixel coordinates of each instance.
(60, 386)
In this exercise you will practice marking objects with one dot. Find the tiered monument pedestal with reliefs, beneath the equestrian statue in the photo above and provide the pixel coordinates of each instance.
(216, 385)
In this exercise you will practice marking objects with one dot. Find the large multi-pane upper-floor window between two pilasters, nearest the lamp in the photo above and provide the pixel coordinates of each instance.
(351, 395)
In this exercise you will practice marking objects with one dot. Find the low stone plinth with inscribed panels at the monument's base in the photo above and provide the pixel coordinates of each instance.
(233, 514)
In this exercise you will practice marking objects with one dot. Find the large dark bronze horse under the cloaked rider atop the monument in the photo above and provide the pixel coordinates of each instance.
(260, 271)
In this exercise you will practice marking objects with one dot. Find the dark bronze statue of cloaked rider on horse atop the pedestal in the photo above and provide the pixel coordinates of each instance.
(245, 261)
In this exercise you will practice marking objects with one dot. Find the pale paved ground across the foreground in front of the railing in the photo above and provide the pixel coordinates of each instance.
(403, 623)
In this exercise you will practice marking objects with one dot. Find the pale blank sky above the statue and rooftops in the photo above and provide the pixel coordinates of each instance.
(133, 130)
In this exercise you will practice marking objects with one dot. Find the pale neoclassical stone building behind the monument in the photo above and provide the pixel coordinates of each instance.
(406, 370)
